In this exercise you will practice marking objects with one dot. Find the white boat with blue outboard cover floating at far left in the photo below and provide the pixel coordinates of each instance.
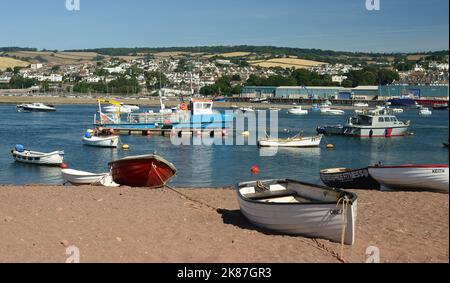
(20, 154)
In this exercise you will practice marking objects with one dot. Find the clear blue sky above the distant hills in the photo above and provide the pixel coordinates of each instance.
(399, 26)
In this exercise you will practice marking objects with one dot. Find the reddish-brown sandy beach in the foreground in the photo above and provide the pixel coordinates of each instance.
(38, 223)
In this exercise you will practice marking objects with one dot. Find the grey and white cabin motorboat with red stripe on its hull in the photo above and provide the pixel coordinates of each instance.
(384, 125)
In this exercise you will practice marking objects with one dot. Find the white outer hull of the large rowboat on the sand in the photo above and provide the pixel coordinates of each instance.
(315, 220)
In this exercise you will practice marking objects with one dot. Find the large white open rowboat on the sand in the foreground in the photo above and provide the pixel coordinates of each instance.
(297, 208)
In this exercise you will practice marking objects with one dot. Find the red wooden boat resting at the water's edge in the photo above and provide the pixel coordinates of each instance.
(151, 171)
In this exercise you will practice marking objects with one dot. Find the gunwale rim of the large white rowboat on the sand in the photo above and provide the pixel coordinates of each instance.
(352, 200)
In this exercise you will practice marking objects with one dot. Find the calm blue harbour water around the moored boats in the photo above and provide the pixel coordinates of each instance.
(211, 166)
